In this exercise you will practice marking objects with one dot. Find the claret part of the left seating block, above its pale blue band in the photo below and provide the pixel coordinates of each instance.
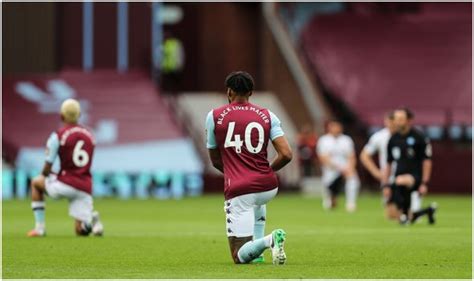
(110, 96)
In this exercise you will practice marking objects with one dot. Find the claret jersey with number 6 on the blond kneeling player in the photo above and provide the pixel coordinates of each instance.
(74, 145)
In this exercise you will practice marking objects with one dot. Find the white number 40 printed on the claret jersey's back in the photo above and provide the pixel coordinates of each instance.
(238, 143)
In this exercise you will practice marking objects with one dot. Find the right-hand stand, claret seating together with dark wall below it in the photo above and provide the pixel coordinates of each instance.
(390, 55)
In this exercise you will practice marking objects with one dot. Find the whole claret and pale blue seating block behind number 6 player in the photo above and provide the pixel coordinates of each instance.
(132, 124)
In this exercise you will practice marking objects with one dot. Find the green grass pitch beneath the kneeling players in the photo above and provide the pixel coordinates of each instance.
(186, 239)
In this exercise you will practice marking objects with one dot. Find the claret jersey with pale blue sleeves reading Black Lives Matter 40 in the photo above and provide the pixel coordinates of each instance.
(241, 132)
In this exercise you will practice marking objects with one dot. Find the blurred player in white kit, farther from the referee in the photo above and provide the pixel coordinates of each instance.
(337, 155)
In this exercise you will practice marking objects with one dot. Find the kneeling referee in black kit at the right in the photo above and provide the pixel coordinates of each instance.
(408, 167)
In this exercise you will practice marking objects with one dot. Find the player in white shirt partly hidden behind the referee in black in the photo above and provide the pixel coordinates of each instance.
(378, 143)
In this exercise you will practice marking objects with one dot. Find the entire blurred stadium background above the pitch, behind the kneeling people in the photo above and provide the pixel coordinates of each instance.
(146, 74)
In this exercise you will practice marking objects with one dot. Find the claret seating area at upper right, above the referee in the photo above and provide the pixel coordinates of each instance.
(386, 60)
